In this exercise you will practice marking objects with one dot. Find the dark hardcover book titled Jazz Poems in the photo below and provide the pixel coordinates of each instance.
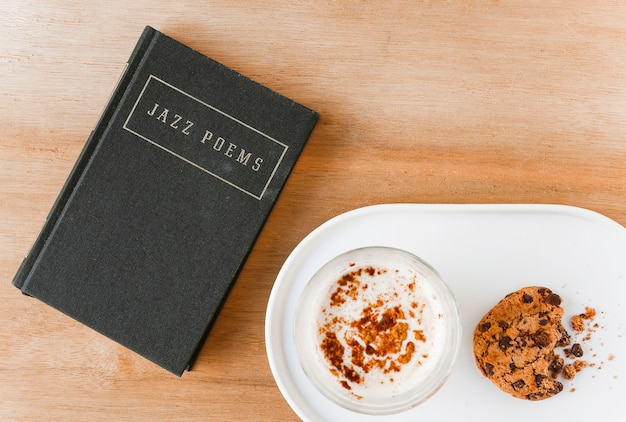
(166, 200)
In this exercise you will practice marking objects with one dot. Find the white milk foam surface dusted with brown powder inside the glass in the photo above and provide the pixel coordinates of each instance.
(378, 330)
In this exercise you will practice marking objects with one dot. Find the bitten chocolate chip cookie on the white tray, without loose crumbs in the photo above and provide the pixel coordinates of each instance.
(514, 343)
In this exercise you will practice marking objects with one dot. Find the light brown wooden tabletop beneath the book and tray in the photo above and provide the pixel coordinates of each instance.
(425, 102)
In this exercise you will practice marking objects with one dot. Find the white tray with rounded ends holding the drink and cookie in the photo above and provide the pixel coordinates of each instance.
(483, 252)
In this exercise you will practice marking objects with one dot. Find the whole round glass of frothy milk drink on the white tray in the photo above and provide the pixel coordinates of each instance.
(376, 330)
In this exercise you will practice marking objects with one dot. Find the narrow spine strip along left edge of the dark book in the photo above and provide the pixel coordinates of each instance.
(143, 46)
